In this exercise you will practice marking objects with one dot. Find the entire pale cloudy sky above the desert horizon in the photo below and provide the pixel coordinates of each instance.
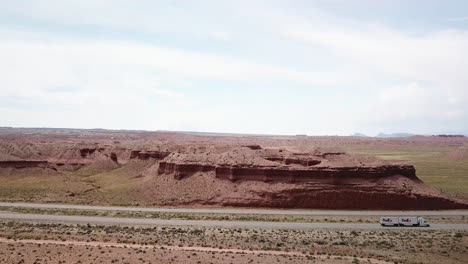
(330, 67)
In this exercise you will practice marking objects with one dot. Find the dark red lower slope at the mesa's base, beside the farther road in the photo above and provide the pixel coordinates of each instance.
(351, 198)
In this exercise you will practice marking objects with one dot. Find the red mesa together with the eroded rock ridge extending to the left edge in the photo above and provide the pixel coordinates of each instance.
(240, 175)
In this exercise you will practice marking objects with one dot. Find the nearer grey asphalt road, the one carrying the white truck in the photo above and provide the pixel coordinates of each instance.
(203, 223)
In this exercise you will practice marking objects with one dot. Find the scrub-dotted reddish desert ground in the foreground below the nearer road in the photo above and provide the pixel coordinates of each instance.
(130, 243)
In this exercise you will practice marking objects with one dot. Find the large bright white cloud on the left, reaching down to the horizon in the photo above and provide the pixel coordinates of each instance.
(111, 84)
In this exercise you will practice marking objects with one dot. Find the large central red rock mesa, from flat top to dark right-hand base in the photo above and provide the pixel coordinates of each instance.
(327, 180)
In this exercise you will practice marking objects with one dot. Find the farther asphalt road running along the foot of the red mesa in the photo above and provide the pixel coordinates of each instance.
(257, 211)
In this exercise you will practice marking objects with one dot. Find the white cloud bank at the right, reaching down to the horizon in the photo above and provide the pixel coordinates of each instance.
(432, 64)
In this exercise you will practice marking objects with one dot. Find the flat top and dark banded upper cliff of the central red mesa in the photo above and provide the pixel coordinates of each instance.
(280, 166)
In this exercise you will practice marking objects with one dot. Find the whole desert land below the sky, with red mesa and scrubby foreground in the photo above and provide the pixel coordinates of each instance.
(181, 170)
